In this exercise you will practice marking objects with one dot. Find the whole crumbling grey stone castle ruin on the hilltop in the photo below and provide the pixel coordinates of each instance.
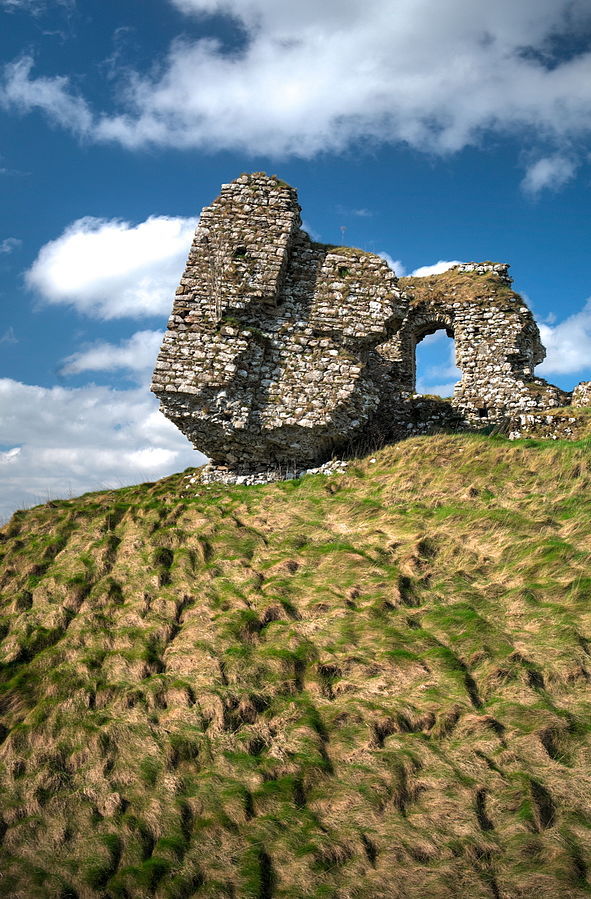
(282, 352)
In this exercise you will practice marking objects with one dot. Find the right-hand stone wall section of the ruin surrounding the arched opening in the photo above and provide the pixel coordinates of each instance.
(497, 341)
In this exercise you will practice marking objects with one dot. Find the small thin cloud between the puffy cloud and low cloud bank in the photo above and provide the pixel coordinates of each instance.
(137, 354)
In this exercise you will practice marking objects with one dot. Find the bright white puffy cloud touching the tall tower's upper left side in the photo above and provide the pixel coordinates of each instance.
(112, 269)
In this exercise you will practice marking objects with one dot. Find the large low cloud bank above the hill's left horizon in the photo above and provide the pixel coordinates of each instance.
(62, 442)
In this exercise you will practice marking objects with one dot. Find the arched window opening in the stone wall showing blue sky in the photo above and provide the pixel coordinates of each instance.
(436, 373)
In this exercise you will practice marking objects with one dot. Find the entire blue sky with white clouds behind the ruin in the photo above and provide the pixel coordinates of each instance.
(429, 130)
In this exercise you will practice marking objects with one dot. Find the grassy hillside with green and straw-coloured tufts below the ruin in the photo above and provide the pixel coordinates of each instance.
(374, 684)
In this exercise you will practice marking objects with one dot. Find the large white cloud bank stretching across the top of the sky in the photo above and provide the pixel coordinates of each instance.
(312, 76)
